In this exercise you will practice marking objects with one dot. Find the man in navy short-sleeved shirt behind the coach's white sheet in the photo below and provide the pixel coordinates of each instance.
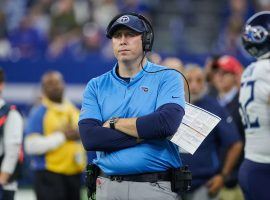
(208, 176)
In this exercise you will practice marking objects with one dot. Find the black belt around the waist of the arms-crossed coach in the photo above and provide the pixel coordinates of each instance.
(147, 177)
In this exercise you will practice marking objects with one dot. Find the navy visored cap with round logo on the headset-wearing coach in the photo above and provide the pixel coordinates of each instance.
(130, 21)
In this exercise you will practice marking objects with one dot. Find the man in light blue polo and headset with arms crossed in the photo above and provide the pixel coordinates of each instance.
(127, 115)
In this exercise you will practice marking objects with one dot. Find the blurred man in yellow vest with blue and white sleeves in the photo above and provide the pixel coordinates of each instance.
(52, 138)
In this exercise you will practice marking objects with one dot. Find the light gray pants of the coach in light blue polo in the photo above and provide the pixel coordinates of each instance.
(126, 190)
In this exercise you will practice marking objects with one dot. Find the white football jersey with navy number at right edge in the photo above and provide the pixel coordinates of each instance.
(255, 110)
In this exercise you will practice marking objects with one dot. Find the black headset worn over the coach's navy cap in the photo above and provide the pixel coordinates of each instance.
(147, 35)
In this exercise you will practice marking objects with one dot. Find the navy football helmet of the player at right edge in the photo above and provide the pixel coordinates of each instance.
(256, 38)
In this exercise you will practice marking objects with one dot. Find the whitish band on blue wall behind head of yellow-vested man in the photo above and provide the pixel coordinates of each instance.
(29, 93)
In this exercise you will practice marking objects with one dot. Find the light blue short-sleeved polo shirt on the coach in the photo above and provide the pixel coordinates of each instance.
(109, 96)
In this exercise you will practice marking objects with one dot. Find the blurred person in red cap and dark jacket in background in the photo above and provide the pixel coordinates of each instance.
(227, 81)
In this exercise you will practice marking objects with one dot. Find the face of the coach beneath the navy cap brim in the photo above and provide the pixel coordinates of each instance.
(127, 45)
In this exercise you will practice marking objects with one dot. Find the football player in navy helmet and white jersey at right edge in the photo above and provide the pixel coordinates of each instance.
(254, 98)
